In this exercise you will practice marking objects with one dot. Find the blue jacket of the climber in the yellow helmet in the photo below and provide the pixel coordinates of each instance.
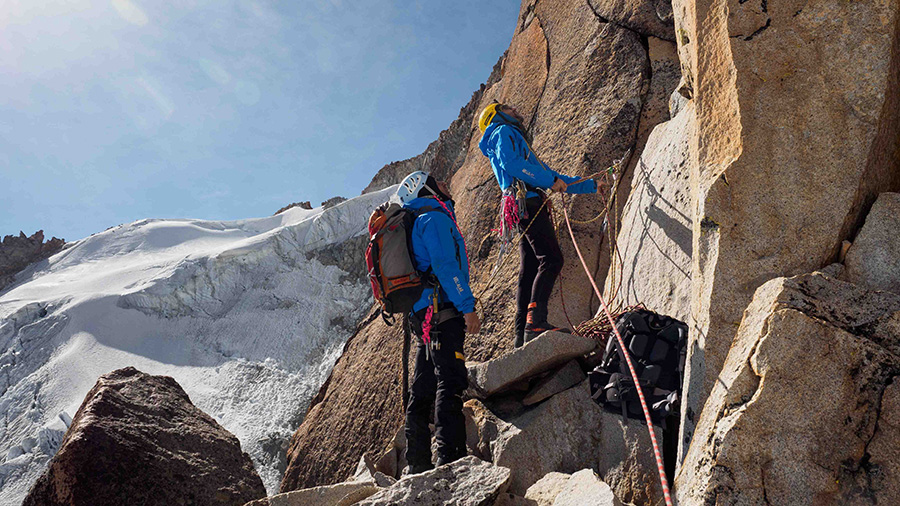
(512, 158)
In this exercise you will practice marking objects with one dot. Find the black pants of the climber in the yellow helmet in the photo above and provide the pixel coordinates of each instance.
(540, 263)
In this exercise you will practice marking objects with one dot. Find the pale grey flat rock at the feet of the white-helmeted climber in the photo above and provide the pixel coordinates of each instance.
(467, 482)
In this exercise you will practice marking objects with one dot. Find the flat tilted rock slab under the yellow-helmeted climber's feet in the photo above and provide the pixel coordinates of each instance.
(547, 351)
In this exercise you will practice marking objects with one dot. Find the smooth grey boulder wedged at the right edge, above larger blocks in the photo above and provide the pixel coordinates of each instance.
(874, 258)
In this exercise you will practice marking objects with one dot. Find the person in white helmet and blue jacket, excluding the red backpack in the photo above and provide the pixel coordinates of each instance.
(440, 375)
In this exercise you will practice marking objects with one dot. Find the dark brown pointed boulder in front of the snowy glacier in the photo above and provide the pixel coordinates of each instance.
(139, 436)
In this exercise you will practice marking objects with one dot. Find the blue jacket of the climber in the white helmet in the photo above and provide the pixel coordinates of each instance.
(438, 245)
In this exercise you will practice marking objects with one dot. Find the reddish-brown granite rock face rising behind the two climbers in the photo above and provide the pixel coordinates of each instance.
(582, 83)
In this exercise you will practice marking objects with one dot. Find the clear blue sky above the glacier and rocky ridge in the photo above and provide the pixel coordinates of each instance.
(117, 110)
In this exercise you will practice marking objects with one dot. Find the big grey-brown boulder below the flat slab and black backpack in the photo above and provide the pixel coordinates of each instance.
(566, 433)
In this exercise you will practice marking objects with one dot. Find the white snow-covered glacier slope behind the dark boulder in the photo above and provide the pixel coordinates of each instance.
(248, 316)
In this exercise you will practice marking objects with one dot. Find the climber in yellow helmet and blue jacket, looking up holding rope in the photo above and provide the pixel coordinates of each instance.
(514, 163)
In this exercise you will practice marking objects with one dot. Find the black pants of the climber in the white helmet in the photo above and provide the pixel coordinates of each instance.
(439, 380)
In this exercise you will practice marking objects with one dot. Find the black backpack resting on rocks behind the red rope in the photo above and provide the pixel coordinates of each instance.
(657, 345)
